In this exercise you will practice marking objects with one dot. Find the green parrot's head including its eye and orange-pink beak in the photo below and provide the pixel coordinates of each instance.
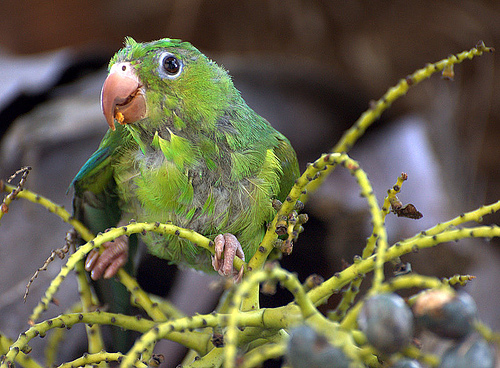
(160, 77)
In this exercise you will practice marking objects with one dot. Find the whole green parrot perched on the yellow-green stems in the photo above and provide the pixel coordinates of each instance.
(186, 149)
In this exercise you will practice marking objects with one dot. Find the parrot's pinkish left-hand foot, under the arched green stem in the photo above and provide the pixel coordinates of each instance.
(108, 263)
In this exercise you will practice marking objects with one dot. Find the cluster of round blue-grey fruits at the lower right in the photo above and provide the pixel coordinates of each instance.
(389, 325)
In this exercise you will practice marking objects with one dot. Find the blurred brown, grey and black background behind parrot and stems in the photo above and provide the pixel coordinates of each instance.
(309, 67)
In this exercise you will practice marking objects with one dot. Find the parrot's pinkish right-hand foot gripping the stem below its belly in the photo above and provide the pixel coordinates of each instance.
(229, 246)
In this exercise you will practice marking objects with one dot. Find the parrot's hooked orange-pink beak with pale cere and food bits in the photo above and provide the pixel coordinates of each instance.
(122, 96)
